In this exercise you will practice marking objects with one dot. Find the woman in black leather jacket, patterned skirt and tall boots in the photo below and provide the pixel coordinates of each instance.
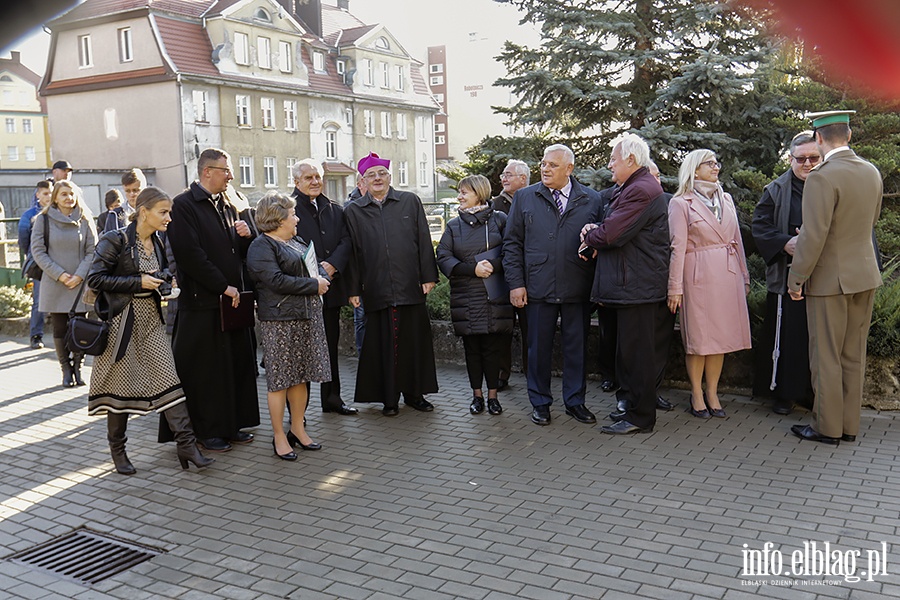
(136, 373)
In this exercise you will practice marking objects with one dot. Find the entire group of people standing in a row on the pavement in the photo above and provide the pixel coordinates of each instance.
(542, 255)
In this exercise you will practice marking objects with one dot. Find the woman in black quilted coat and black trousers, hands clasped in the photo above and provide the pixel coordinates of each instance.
(469, 254)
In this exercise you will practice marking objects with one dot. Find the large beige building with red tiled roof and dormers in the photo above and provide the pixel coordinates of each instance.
(150, 83)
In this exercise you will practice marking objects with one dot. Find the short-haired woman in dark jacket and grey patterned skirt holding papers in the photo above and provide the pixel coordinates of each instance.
(291, 326)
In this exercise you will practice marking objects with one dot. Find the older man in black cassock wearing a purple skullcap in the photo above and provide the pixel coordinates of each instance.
(395, 268)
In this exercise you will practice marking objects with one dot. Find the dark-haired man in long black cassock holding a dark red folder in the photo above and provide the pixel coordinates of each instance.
(216, 368)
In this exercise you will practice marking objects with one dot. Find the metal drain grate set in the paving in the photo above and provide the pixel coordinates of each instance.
(85, 556)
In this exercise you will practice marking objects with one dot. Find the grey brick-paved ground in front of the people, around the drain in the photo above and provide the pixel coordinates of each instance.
(448, 505)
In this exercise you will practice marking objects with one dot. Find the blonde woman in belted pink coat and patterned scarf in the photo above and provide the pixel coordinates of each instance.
(708, 277)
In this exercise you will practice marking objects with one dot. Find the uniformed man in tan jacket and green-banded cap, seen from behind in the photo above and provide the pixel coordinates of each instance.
(835, 260)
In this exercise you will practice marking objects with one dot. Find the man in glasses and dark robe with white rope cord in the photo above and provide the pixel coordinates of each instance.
(776, 223)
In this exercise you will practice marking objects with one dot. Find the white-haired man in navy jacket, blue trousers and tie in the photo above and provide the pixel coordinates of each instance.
(546, 275)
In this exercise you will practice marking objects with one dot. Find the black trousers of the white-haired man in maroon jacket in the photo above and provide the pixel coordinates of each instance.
(641, 358)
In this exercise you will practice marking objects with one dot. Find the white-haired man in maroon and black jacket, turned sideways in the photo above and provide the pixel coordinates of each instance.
(633, 238)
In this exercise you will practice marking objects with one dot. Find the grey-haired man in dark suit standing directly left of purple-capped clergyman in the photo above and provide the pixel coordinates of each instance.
(322, 224)
